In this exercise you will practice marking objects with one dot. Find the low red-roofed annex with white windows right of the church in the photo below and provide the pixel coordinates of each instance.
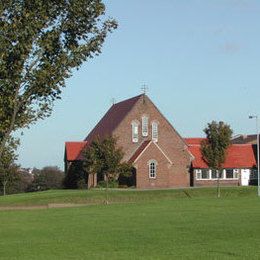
(238, 169)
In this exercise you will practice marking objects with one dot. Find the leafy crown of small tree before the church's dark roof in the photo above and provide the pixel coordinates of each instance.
(104, 158)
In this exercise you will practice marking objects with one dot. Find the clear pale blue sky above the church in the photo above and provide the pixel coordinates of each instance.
(200, 60)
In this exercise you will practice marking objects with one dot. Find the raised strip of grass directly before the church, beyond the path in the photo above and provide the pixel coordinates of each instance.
(98, 196)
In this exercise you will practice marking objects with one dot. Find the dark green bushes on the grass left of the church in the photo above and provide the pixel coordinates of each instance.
(50, 177)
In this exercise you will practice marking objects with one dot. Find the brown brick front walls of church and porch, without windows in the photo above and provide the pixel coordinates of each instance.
(168, 139)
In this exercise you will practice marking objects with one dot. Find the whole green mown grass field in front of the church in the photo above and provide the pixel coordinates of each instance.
(167, 224)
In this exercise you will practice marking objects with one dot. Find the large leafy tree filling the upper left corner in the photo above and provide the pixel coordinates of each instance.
(41, 42)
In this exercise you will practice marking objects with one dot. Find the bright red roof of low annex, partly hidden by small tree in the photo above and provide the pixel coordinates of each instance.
(238, 156)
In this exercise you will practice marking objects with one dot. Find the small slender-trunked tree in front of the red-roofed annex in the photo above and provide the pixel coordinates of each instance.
(215, 146)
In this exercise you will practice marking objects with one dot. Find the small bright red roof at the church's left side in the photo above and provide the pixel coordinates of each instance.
(73, 150)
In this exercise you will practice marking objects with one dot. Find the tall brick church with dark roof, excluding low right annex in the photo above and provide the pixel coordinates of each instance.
(158, 153)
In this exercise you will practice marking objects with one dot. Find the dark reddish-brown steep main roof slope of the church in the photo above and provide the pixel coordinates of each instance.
(112, 118)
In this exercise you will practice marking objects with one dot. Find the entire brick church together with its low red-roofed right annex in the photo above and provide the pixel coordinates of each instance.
(160, 156)
